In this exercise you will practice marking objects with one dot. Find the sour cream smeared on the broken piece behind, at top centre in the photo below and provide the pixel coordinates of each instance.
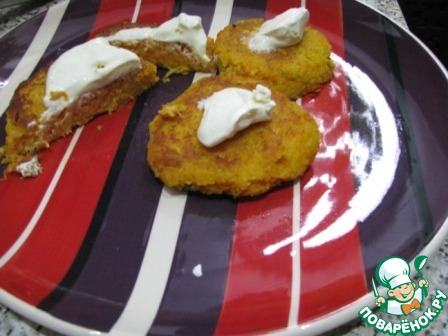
(184, 28)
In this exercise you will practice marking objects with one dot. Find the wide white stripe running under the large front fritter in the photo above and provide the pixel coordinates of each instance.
(144, 302)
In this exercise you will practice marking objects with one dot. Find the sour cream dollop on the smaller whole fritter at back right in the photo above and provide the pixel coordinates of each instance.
(284, 30)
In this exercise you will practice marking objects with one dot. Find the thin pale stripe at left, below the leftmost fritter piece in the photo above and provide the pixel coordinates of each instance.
(43, 203)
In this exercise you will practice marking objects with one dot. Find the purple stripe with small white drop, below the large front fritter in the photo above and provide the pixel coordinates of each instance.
(194, 295)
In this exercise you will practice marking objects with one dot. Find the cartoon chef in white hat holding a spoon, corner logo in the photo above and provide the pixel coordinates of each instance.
(404, 296)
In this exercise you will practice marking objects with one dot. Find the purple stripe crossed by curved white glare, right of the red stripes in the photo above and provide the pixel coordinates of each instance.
(392, 228)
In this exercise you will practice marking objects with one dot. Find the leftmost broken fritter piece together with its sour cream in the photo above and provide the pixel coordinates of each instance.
(86, 81)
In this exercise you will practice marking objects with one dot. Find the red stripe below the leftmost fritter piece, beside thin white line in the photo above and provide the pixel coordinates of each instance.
(48, 253)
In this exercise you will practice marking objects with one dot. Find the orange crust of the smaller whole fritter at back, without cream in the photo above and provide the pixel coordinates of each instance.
(294, 70)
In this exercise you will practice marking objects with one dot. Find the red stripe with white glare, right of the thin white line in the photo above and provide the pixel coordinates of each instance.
(332, 270)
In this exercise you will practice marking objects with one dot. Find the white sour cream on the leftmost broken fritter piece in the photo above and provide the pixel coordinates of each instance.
(86, 67)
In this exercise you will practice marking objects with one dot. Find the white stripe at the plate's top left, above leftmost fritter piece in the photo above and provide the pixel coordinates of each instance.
(33, 54)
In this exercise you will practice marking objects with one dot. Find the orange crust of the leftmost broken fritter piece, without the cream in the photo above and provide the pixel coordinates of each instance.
(26, 134)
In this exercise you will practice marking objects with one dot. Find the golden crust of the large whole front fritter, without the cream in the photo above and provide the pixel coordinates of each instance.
(252, 162)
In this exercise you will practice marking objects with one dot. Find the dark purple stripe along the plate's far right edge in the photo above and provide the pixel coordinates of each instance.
(423, 90)
